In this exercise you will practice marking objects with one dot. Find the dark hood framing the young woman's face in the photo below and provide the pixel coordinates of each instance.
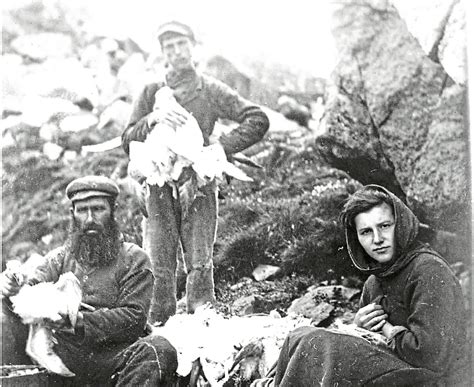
(406, 231)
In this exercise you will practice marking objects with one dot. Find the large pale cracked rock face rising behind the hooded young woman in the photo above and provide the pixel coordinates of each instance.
(395, 116)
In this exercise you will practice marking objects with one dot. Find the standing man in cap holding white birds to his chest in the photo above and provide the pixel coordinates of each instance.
(207, 100)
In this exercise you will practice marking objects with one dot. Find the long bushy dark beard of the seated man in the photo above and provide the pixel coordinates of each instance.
(96, 250)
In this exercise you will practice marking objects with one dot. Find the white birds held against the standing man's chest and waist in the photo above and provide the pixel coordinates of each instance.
(168, 149)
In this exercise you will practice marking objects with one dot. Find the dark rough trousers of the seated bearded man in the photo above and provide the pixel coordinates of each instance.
(150, 361)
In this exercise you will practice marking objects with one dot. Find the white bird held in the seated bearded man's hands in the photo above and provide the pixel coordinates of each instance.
(39, 304)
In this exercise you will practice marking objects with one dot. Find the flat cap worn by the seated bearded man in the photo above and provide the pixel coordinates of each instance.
(91, 186)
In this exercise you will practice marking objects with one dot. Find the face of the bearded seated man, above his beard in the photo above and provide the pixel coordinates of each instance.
(92, 215)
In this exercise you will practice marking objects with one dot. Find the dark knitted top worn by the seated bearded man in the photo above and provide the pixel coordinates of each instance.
(121, 293)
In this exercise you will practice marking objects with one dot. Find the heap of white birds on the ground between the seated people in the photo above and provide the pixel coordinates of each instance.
(223, 346)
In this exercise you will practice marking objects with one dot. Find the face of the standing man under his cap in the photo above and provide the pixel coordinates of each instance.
(178, 51)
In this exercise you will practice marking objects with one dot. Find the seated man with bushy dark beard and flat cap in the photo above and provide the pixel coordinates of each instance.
(107, 345)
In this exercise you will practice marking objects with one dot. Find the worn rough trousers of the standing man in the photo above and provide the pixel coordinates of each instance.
(164, 230)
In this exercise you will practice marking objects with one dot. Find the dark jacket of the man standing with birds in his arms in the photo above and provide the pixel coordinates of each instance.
(208, 100)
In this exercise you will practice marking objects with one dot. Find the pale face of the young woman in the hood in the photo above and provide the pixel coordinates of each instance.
(376, 232)
